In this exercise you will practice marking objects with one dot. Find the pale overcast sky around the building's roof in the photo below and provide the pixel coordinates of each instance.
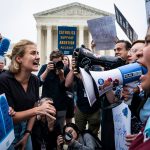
(17, 21)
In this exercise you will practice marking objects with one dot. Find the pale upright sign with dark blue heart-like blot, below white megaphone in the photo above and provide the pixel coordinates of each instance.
(122, 125)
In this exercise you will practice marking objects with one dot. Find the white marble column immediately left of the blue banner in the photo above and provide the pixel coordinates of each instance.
(49, 42)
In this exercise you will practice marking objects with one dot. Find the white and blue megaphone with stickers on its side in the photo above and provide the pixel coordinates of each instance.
(106, 80)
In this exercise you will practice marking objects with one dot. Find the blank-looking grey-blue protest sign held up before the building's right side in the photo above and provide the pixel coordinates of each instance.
(103, 32)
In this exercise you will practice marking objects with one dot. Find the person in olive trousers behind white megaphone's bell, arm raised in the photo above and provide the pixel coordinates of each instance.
(84, 114)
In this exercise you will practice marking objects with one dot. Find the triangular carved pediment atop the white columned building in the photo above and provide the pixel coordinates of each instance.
(73, 9)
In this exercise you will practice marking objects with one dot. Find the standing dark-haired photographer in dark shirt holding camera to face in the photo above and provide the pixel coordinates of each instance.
(52, 79)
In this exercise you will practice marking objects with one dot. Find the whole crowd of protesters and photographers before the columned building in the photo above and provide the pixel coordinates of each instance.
(45, 121)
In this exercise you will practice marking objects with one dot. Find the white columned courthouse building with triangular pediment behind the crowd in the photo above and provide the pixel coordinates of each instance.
(73, 15)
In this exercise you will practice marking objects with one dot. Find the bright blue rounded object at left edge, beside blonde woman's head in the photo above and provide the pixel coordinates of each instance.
(4, 45)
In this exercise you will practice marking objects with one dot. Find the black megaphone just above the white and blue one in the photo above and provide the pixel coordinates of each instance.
(85, 57)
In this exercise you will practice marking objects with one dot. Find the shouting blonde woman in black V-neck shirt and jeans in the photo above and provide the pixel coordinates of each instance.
(21, 88)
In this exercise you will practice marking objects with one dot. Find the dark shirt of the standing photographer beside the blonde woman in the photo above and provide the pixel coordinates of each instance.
(53, 88)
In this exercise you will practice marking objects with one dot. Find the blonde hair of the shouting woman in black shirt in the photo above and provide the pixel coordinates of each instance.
(18, 50)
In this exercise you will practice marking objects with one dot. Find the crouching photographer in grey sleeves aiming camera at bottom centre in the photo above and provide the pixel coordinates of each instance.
(75, 139)
